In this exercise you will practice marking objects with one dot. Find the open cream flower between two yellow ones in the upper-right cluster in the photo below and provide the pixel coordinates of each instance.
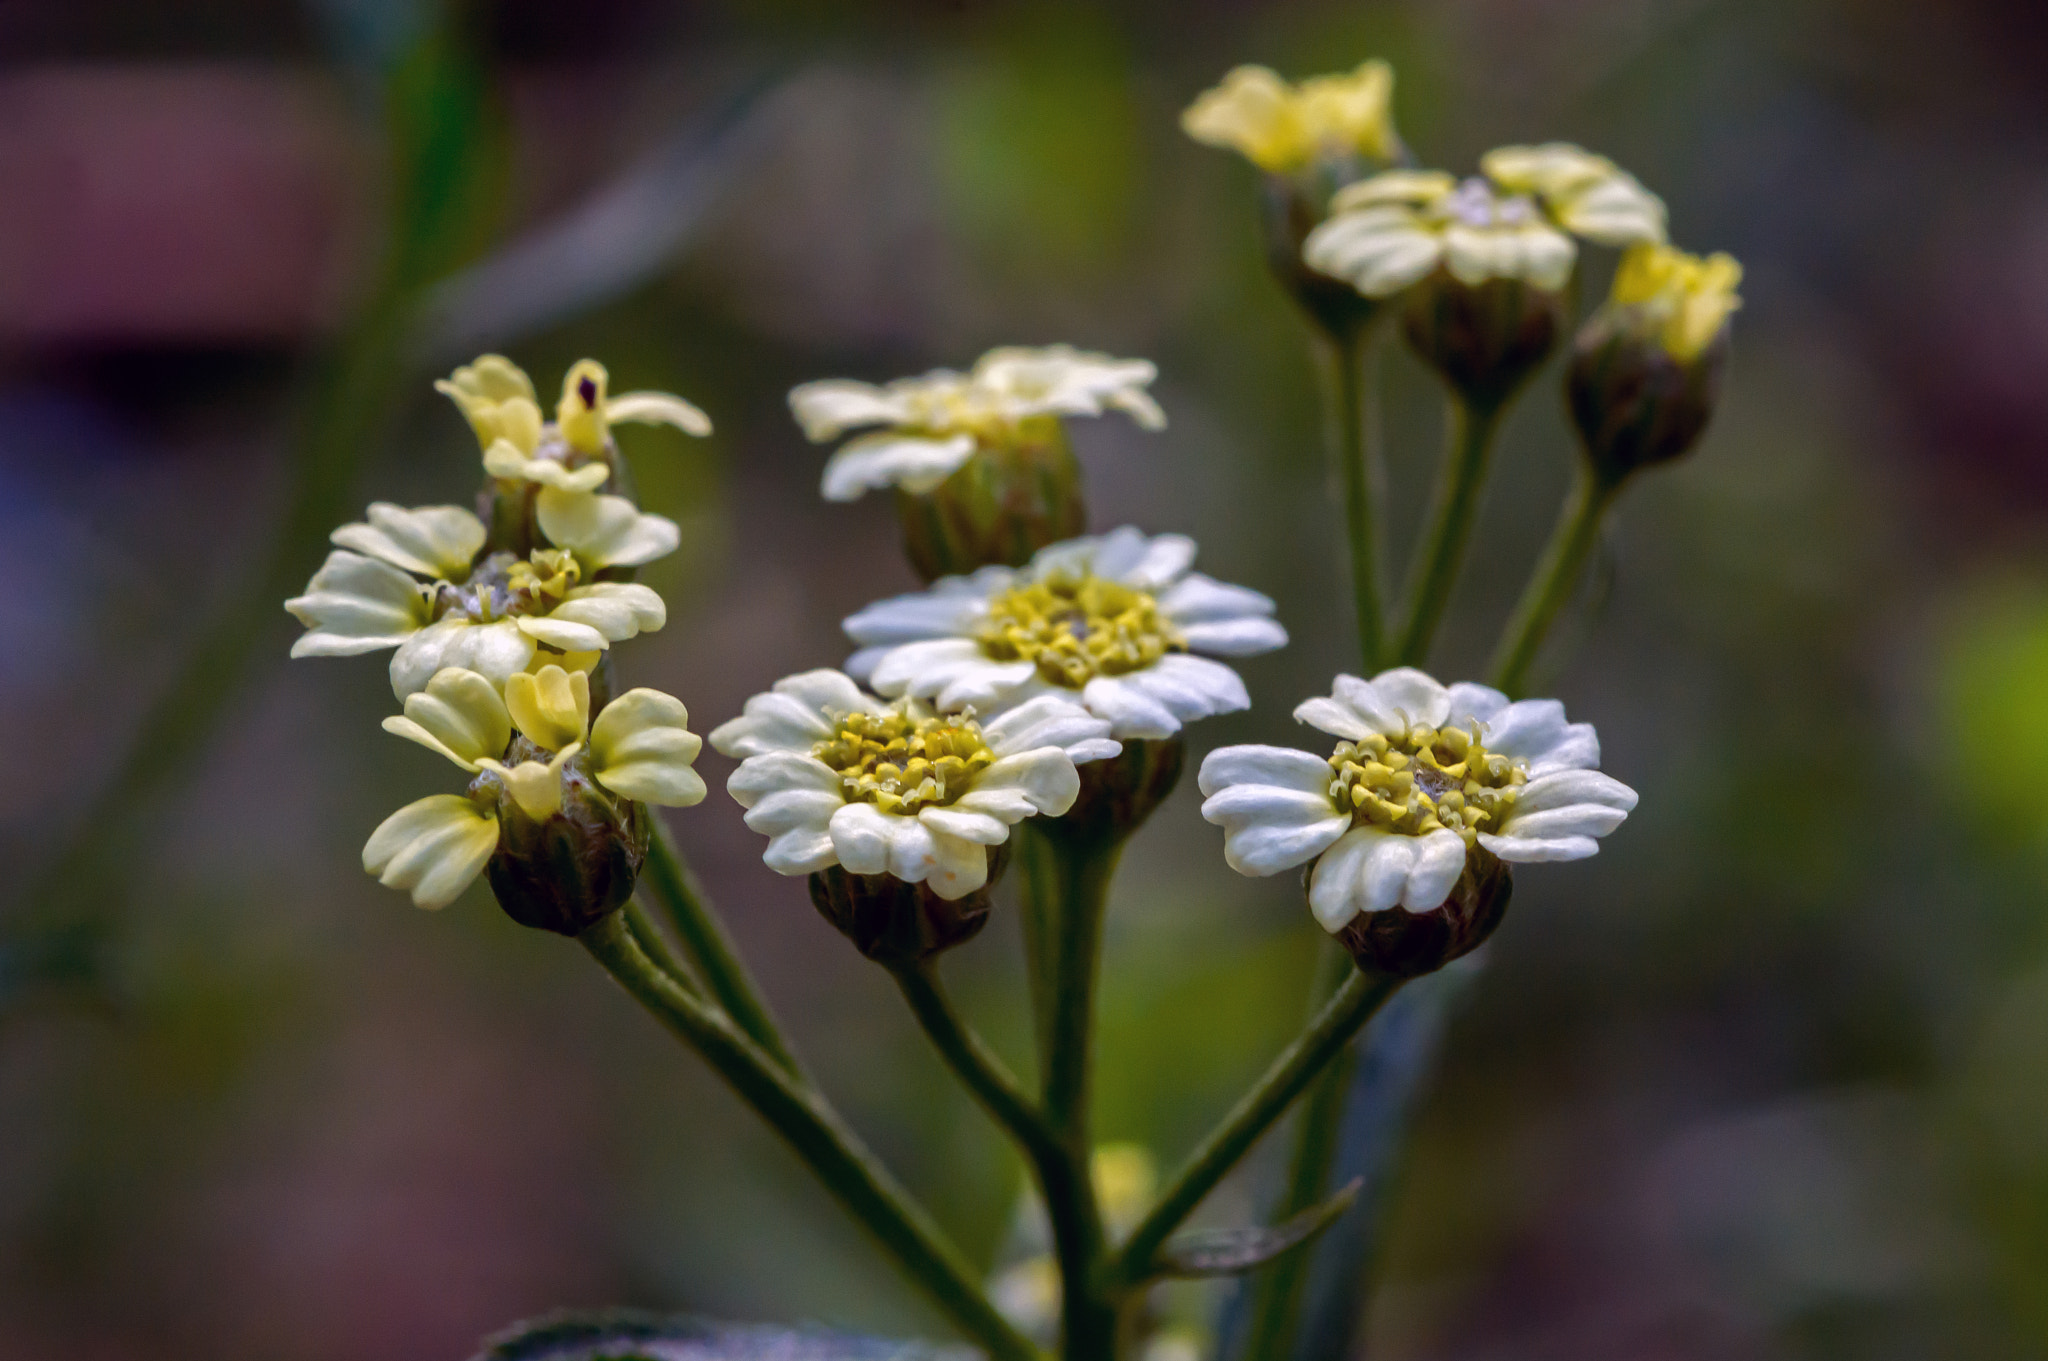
(1517, 220)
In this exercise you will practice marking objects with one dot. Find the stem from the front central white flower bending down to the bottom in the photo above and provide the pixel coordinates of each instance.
(1060, 1176)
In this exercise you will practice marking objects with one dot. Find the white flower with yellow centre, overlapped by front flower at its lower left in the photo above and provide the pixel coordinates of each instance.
(1113, 621)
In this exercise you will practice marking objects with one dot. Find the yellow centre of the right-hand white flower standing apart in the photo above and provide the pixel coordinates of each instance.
(1426, 781)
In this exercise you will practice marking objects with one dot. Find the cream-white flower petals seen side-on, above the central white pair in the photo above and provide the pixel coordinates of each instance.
(935, 423)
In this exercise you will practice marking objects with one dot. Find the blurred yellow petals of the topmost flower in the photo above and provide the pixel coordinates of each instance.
(1283, 128)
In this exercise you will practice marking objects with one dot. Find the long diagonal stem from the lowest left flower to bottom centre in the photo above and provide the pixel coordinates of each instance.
(816, 1133)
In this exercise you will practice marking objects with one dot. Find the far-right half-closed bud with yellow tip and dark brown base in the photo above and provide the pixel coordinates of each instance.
(1646, 369)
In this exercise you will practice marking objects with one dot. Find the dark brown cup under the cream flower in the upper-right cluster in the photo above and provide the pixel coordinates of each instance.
(1484, 339)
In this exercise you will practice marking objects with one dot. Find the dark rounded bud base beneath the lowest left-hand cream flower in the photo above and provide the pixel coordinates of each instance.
(572, 867)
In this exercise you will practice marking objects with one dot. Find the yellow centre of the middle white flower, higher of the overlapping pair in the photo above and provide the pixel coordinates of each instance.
(1076, 629)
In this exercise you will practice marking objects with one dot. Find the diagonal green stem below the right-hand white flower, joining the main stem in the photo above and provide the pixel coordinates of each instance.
(1252, 1116)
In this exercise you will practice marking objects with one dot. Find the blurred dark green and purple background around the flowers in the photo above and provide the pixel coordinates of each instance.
(1764, 1080)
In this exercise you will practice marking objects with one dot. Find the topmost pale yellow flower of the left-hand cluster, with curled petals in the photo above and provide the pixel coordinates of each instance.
(572, 451)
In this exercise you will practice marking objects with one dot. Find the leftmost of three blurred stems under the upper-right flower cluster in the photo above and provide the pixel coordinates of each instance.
(1353, 427)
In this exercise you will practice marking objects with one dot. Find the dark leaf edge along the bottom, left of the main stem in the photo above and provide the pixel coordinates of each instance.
(640, 1335)
